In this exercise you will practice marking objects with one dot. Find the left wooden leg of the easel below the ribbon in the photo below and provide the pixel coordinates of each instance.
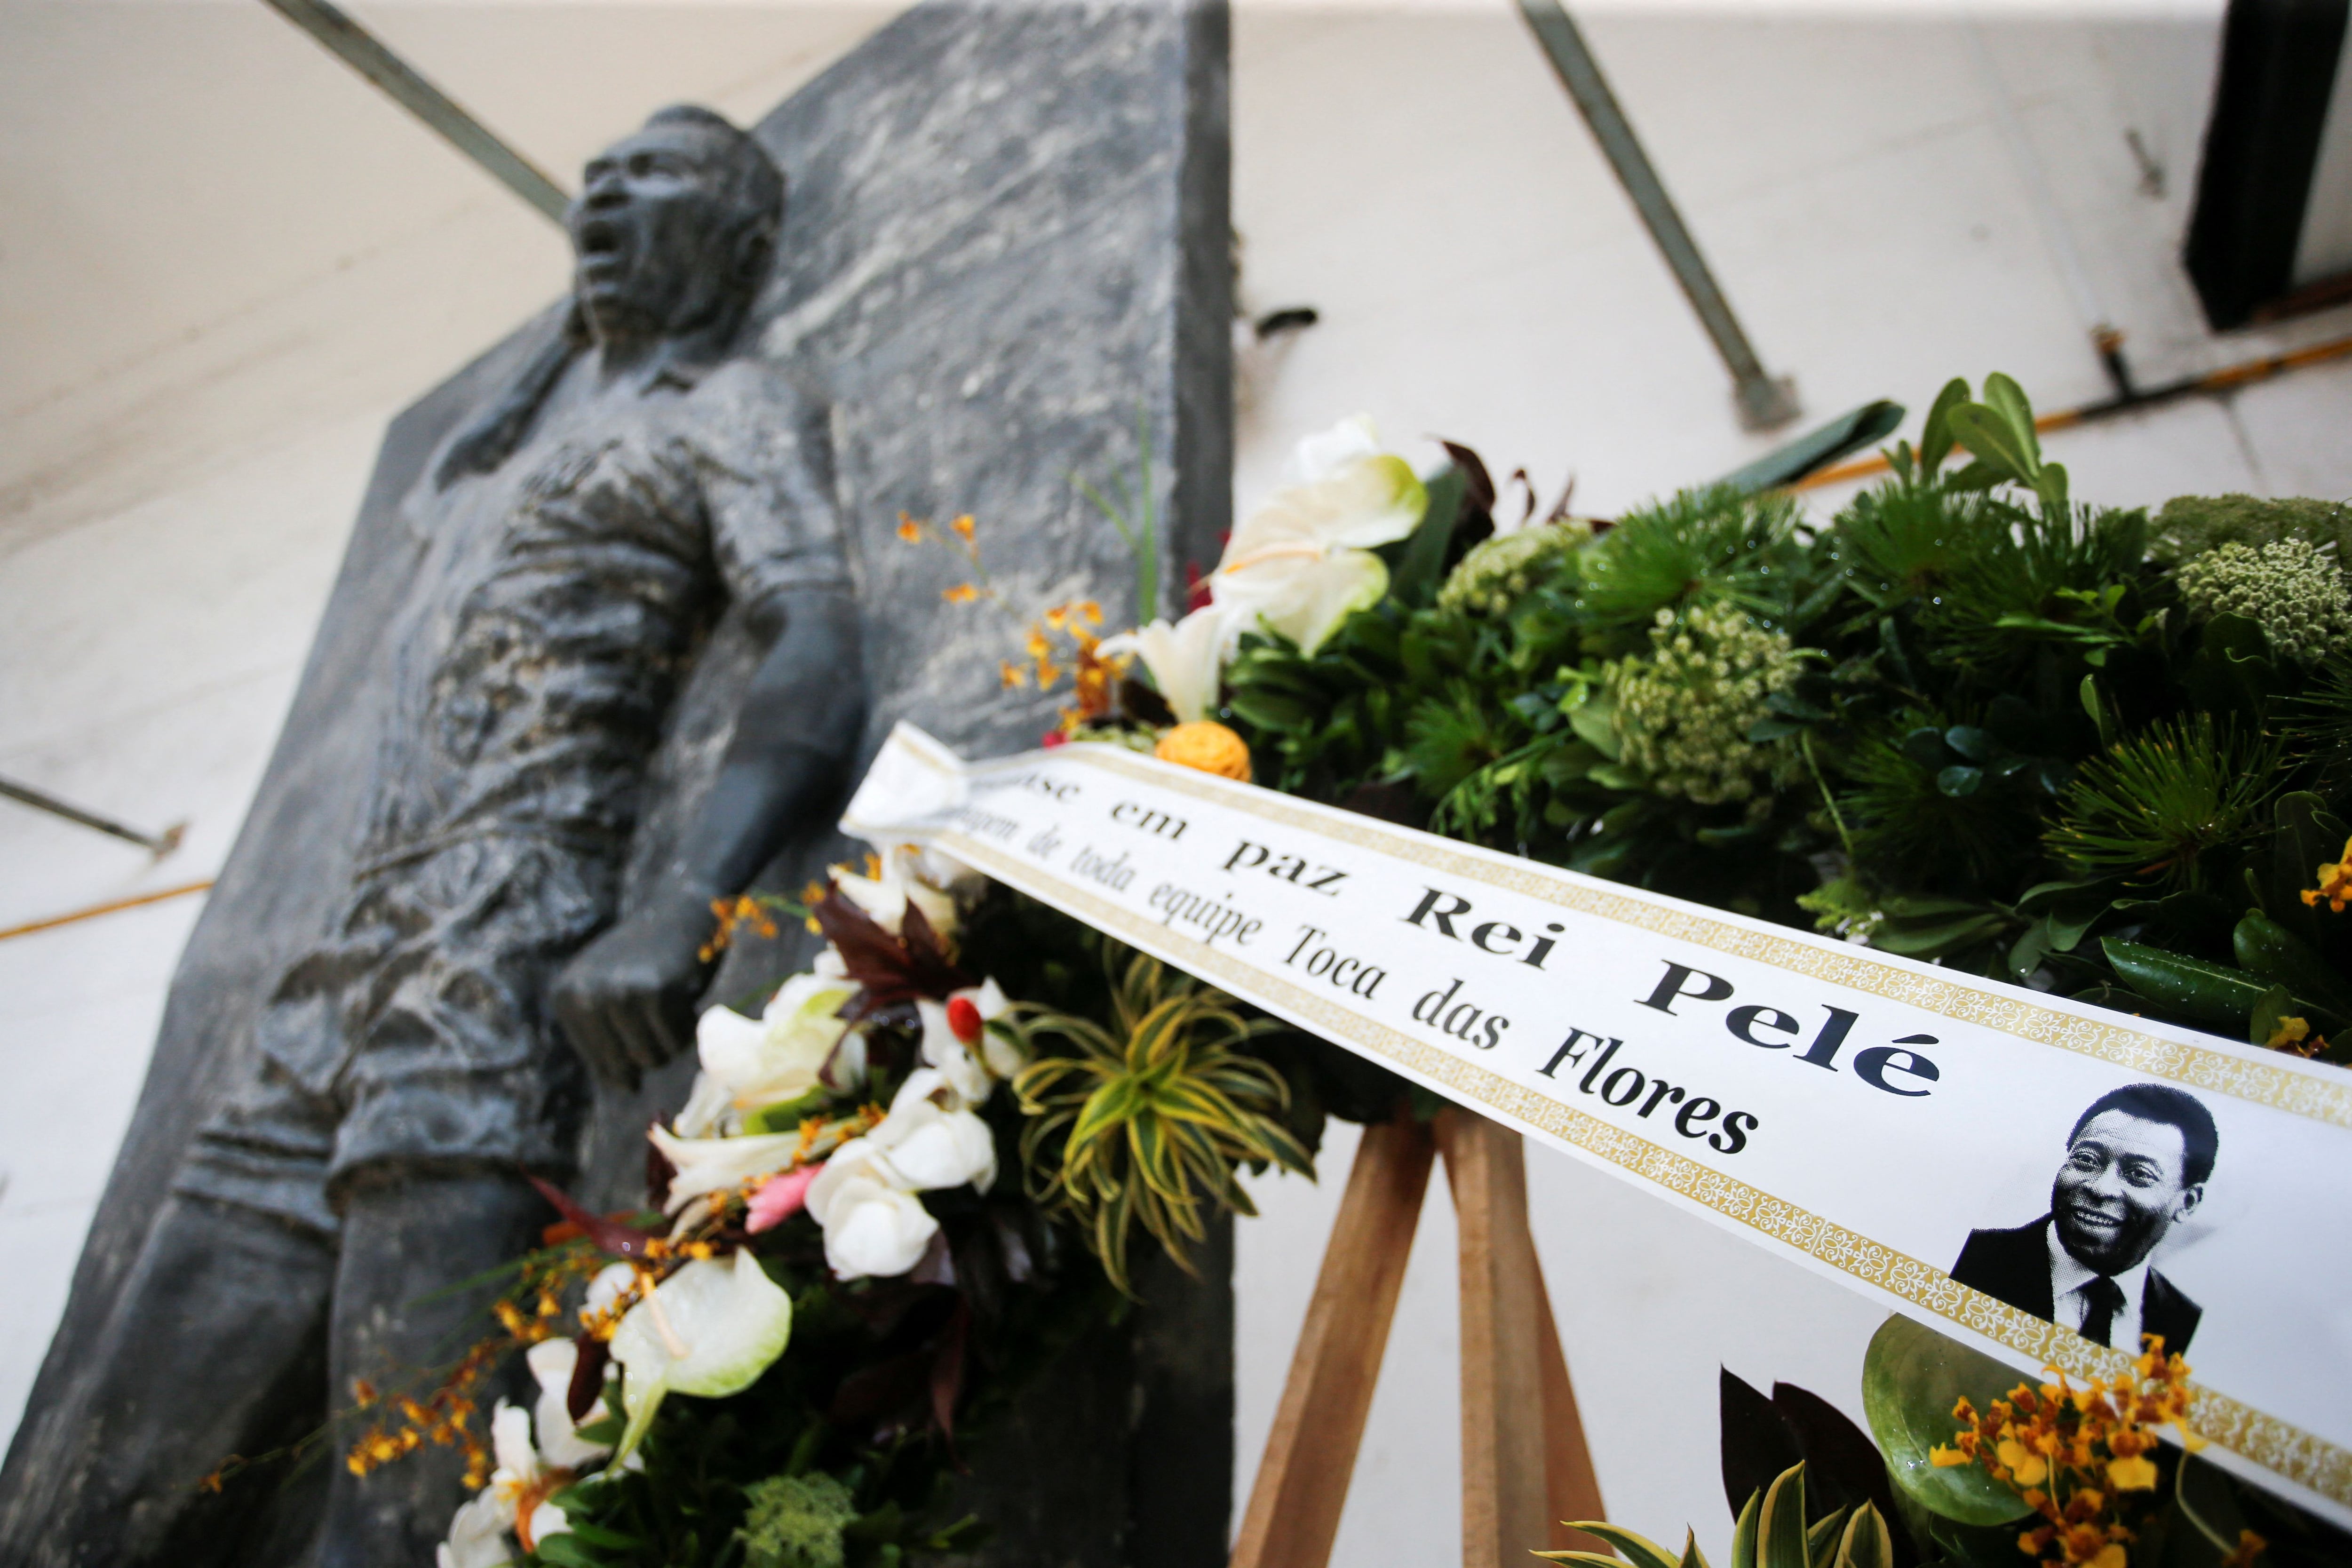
(1311, 1454)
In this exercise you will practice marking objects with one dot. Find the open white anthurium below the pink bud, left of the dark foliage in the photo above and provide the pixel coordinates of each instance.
(709, 1329)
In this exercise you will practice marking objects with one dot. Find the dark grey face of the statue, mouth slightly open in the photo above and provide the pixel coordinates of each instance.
(650, 234)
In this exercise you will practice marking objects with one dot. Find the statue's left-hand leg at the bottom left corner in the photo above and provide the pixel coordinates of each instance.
(213, 1351)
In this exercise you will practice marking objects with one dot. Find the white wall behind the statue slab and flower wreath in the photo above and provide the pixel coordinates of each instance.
(232, 262)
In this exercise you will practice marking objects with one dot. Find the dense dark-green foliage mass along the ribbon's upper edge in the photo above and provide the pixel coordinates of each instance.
(1970, 721)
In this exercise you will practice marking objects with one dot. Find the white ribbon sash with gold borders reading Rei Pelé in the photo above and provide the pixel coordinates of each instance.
(1845, 1108)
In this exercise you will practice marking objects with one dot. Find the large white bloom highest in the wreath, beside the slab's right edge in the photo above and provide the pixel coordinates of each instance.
(1304, 561)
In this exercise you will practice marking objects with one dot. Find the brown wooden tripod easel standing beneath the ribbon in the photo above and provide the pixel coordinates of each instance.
(1525, 1461)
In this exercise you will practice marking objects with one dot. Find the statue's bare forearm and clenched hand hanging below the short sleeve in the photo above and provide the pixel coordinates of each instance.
(627, 1003)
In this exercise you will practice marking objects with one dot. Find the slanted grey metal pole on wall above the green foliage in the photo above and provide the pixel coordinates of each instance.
(1763, 401)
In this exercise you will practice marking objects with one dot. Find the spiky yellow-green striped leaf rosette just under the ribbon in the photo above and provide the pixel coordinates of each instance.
(1144, 1123)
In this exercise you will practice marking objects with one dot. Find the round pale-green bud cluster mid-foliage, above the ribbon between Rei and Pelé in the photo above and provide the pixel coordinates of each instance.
(1685, 711)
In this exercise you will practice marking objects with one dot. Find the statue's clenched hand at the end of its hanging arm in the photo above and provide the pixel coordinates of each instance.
(627, 1000)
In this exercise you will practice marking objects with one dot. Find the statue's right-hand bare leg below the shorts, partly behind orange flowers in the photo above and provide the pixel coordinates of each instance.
(408, 1235)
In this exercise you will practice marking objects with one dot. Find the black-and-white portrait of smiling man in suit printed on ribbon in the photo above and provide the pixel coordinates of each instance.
(2134, 1170)
